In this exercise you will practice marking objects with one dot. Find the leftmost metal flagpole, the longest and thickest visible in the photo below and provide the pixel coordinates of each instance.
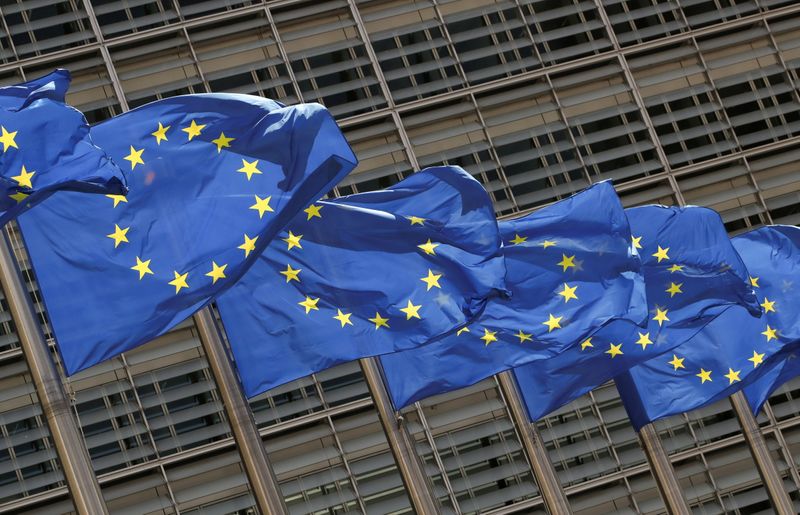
(70, 447)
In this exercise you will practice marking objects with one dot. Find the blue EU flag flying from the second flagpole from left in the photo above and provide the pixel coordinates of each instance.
(364, 275)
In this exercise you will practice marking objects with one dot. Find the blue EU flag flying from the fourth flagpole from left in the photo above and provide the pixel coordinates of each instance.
(692, 275)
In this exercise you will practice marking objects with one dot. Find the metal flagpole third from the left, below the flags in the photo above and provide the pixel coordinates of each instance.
(418, 486)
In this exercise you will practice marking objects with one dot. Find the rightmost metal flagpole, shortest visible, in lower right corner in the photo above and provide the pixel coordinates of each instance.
(758, 448)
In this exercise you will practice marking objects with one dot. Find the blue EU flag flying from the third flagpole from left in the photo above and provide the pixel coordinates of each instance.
(571, 269)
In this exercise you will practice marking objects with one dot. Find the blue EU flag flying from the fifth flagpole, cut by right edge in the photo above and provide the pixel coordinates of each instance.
(734, 349)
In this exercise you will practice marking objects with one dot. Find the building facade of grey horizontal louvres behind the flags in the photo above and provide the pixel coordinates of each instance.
(677, 101)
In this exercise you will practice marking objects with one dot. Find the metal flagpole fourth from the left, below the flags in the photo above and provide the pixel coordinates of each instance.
(550, 487)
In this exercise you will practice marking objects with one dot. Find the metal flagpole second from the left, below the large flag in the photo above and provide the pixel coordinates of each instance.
(263, 483)
